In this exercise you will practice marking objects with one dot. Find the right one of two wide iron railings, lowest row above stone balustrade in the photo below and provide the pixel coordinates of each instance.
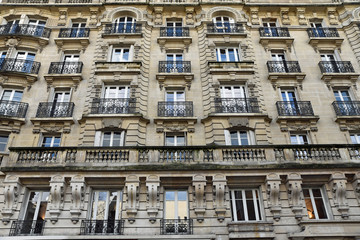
(236, 105)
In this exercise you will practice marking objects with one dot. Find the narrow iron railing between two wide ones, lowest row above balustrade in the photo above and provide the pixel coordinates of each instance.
(175, 109)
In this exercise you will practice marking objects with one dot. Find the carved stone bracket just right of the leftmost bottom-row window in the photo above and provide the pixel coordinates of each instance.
(57, 185)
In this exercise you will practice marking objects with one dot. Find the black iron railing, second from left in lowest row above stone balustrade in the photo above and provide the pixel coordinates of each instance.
(55, 109)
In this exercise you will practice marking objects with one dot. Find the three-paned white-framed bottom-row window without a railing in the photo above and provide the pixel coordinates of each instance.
(245, 205)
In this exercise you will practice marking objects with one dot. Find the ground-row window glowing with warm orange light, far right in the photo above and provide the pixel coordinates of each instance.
(315, 203)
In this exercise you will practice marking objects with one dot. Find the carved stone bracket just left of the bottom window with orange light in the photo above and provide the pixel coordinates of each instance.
(294, 192)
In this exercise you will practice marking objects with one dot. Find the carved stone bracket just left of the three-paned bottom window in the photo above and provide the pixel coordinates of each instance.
(219, 189)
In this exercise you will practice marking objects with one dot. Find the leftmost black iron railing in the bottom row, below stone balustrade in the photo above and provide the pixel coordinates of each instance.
(21, 227)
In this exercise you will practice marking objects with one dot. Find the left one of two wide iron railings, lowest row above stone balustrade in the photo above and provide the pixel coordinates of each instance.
(113, 106)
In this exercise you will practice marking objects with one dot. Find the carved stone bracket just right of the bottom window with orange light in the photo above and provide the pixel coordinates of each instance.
(338, 186)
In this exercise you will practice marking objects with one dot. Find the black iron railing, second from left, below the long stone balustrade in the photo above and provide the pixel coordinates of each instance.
(102, 227)
